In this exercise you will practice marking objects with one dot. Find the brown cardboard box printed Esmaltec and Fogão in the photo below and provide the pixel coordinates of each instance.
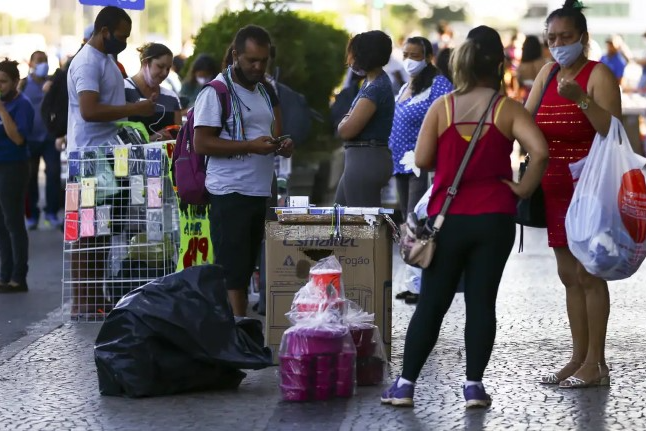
(364, 251)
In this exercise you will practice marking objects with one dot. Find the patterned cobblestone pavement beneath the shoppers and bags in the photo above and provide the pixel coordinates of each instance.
(51, 384)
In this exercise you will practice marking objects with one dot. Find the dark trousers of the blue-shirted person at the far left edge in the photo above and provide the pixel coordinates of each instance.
(14, 242)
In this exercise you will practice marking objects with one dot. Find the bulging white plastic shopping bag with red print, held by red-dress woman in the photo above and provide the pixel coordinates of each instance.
(606, 220)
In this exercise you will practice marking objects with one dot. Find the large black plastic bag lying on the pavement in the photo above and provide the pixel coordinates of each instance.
(177, 334)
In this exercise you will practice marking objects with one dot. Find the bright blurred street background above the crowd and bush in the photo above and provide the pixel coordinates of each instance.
(56, 26)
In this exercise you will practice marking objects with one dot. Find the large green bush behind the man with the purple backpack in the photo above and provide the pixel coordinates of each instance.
(310, 48)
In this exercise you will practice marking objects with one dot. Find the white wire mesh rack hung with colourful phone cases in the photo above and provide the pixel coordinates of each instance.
(121, 226)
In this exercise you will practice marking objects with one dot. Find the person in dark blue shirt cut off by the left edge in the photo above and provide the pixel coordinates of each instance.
(16, 121)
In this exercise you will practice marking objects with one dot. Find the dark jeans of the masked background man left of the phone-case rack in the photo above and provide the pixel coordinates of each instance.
(47, 150)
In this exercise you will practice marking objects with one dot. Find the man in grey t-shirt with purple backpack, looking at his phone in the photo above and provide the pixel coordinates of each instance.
(241, 161)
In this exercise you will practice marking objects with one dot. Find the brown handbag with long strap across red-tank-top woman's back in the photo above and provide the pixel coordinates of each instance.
(418, 239)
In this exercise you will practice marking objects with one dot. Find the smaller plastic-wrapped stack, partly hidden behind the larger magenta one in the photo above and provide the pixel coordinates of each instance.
(371, 364)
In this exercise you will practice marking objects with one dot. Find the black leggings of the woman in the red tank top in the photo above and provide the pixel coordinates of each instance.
(478, 246)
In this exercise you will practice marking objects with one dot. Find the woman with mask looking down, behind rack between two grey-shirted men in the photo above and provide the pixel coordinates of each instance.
(156, 62)
